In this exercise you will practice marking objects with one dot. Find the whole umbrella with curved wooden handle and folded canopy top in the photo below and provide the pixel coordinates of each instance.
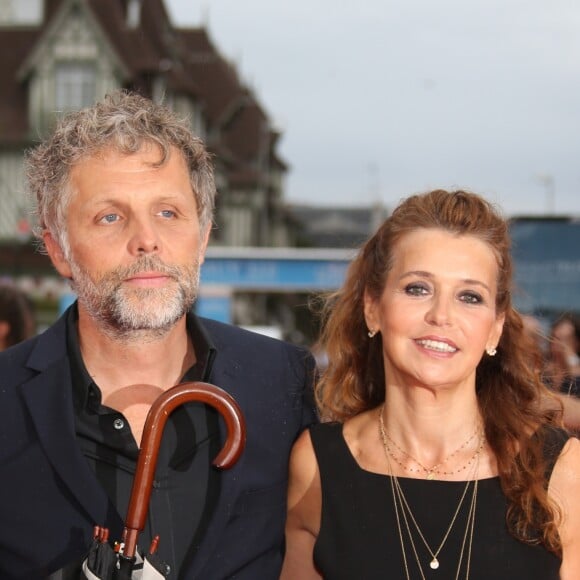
(122, 560)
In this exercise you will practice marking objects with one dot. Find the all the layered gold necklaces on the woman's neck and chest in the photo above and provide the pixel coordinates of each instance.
(403, 511)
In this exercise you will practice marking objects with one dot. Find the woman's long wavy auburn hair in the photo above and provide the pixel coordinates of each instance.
(509, 386)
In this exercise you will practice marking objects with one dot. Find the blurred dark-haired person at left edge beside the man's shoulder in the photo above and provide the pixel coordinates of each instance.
(17, 316)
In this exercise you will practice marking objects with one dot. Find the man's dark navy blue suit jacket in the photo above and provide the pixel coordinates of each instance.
(50, 499)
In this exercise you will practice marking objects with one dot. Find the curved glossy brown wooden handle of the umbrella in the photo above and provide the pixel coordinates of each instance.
(162, 407)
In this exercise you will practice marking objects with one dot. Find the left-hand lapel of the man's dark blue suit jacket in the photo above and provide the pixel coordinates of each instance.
(49, 399)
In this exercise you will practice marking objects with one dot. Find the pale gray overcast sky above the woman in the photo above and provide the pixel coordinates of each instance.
(378, 99)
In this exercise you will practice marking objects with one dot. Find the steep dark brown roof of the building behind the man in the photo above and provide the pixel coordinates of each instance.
(238, 127)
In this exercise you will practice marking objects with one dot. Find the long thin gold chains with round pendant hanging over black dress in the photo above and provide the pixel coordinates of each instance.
(401, 504)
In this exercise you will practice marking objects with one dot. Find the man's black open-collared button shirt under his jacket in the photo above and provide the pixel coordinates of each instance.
(185, 487)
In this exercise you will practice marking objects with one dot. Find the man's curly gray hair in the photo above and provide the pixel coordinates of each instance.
(122, 121)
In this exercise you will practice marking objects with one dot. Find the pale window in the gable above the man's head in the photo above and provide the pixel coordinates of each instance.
(75, 85)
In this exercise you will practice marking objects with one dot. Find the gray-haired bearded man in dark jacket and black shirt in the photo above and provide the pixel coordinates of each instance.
(125, 196)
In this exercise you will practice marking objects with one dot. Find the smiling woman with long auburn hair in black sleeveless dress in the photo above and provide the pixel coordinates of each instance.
(437, 459)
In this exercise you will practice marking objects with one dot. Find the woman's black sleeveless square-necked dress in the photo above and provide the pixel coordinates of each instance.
(359, 537)
